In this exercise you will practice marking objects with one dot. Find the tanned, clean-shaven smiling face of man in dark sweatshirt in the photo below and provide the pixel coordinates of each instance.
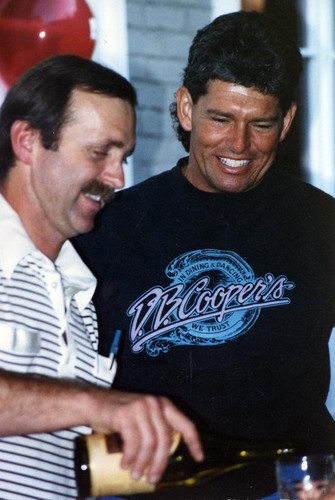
(235, 133)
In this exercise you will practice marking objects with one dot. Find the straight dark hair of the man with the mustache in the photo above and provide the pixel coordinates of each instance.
(43, 93)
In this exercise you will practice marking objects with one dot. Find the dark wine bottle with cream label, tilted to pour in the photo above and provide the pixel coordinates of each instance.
(98, 458)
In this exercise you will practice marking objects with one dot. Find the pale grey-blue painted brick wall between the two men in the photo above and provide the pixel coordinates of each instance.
(159, 35)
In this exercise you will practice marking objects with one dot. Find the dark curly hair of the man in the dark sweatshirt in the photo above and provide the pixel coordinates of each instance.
(244, 48)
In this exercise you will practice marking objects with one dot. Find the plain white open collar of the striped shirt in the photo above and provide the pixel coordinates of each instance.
(16, 244)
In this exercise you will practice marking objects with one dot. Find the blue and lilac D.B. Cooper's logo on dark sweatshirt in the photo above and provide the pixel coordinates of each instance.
(214, 297)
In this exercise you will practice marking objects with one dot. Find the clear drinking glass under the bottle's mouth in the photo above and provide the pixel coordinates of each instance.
(307, 477)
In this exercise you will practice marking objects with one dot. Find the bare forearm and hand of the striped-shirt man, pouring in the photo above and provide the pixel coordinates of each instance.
(31, 404)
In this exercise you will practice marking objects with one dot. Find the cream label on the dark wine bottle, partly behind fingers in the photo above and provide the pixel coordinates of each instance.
(107, 476)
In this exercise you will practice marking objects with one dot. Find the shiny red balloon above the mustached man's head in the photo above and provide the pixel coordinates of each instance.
(31, 30)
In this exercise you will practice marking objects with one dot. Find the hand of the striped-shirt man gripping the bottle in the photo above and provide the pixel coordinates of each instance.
(146, 424)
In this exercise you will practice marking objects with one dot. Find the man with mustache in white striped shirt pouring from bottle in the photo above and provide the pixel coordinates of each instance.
(66, 128)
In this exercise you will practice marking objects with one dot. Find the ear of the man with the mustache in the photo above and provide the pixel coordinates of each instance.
(23, 137)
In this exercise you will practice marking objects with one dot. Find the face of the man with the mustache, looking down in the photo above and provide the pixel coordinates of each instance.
(71, 183)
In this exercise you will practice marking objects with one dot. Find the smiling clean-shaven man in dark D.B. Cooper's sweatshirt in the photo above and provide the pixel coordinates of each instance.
(221, 270)
